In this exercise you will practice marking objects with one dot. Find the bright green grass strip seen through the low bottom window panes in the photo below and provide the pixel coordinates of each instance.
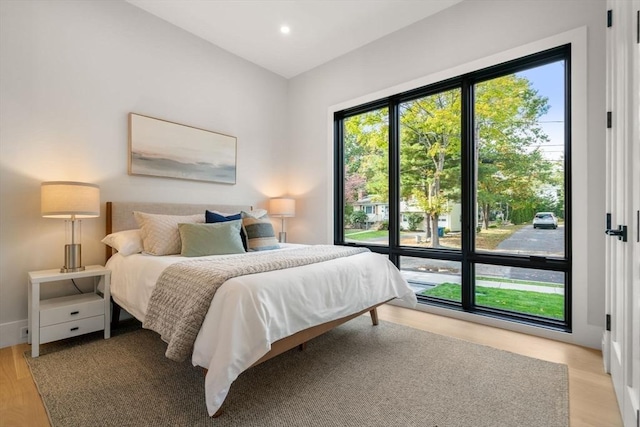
(537, 303)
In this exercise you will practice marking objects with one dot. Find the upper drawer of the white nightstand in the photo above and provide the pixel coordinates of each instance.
(70, 308)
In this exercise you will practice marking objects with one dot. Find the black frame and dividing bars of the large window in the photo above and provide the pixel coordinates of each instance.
(467, 255)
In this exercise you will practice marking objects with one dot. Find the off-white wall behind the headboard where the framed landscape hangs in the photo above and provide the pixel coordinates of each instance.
(70, 72)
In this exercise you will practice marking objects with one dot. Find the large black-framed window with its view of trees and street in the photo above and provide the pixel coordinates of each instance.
(465, 185)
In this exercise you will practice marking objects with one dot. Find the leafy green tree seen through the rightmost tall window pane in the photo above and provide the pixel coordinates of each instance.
(510, 164)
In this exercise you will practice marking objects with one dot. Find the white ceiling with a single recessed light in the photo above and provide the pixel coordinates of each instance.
(321, 30)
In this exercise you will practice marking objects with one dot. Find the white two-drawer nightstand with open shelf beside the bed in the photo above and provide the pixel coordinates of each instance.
(68, 316)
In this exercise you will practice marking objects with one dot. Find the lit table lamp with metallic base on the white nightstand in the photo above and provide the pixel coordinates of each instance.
(71, 201)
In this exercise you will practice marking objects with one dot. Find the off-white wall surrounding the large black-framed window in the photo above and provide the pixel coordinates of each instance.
(437, 48)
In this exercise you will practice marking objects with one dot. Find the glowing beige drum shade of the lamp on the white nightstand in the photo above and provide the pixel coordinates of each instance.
(67, 199)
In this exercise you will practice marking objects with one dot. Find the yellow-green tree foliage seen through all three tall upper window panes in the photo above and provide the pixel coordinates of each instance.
(511, 168)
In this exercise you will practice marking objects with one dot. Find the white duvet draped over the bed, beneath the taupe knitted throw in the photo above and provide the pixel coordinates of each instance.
(249, 313)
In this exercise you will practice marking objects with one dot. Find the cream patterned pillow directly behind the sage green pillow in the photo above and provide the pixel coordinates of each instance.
(160, 235)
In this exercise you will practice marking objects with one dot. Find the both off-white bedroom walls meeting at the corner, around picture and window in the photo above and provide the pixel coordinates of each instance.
(70, 72)
